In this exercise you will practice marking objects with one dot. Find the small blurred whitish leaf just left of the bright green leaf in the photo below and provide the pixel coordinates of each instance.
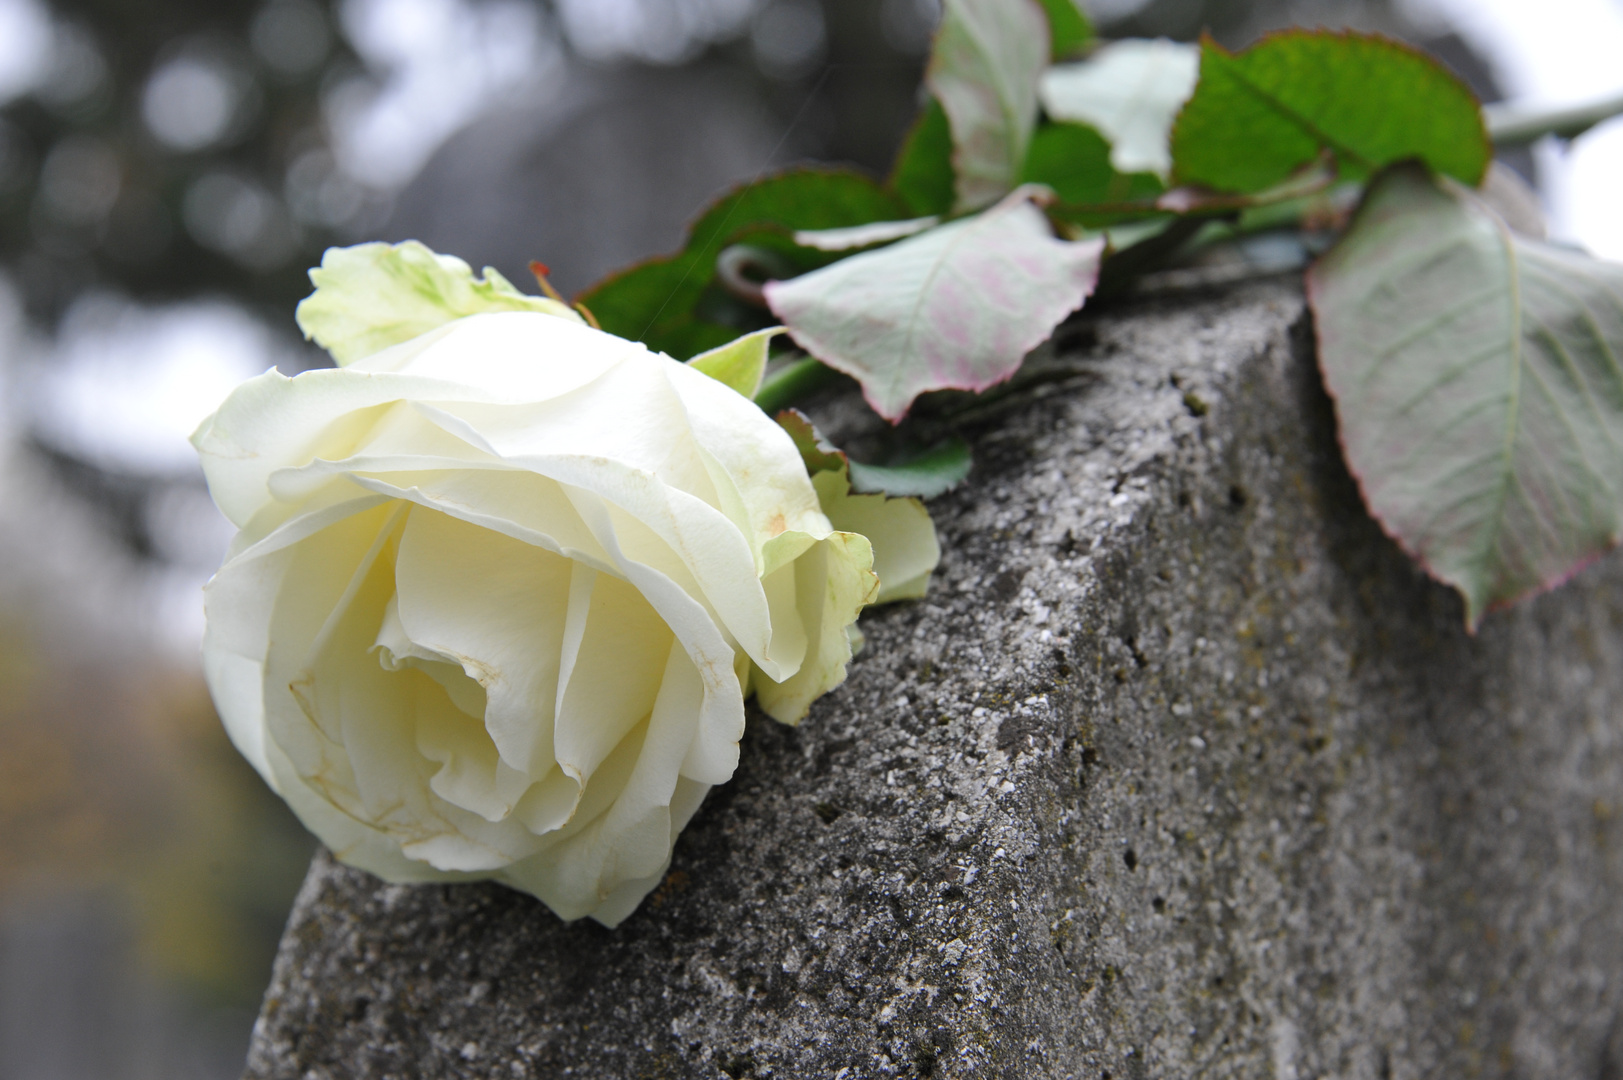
(1130, 92)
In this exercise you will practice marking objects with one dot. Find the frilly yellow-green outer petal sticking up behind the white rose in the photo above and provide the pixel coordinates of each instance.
(372, 296)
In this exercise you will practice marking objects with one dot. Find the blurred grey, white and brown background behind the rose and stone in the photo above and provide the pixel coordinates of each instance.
(171, 168)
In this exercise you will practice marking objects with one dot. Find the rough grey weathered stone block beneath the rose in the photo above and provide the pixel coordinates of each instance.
(1182, 771)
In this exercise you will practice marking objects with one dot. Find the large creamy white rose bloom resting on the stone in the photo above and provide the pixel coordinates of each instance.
(501, 594)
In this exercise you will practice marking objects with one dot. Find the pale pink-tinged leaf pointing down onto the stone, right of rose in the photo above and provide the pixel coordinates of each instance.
(958, 306)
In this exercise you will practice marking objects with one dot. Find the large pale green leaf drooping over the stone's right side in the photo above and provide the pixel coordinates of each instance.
(1478, 386)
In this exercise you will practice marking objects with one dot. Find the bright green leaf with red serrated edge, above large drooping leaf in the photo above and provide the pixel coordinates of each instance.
(1260, 114)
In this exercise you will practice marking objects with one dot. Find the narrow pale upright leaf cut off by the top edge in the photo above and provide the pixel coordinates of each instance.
(984, 71)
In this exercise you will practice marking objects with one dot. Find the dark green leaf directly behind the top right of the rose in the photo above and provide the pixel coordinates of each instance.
(673, 303)
